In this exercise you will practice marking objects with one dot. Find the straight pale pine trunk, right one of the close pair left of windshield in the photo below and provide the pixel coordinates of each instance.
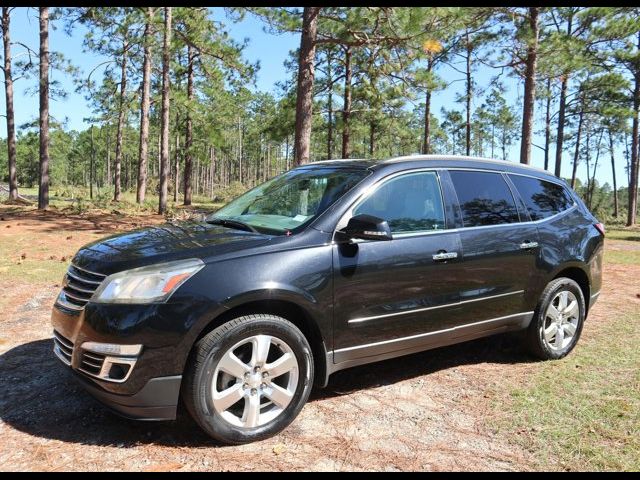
(164, 153)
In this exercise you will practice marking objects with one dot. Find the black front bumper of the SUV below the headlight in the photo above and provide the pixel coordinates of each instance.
(151, 389)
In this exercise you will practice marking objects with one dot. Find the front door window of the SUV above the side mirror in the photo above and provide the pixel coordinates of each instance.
(409, 203)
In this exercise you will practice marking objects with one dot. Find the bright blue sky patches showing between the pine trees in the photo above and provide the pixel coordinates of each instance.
(270, 50)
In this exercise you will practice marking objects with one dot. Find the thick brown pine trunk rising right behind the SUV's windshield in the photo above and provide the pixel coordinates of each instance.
(306, 76)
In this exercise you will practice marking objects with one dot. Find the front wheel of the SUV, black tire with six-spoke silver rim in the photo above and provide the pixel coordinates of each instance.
(214, 378)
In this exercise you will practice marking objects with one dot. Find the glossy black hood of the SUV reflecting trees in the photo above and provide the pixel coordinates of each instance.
(164, 243)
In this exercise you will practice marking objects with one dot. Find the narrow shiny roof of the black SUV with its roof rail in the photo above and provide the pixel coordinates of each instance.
(446, 161)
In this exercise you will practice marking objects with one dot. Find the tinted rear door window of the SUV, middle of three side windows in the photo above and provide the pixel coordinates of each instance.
(485, 198)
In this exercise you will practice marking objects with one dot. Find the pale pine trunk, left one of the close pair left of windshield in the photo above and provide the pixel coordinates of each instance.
(144, 109)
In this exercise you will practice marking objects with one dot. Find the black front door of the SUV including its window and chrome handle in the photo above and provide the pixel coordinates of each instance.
(389, 294)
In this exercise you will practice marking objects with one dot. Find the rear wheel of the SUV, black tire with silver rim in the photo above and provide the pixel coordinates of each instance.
(549, 336)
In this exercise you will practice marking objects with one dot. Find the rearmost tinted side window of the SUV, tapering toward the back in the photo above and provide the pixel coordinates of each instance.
(543, 199)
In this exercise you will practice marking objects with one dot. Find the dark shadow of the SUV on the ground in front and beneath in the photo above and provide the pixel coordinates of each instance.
(40, 397)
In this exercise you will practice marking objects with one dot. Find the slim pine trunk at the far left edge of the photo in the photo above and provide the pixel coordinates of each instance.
(11, 122)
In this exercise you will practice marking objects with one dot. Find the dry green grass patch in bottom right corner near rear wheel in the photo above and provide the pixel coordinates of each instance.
(583, 412)
